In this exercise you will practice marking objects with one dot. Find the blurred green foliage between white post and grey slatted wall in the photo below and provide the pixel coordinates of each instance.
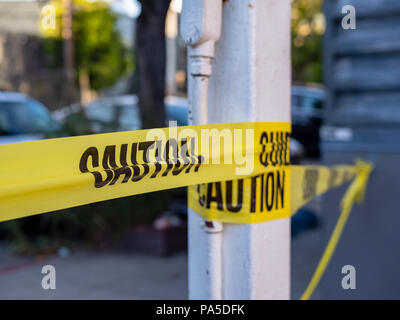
(308, 26)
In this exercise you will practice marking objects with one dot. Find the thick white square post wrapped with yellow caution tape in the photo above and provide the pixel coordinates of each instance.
(250, 81)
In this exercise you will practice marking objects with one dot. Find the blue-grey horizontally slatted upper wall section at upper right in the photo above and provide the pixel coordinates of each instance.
(362, 66)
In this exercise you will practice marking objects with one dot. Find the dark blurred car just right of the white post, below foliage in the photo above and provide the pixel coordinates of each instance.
(307, 117)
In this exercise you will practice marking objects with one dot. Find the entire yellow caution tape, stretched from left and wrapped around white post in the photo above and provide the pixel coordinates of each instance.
(237, 172)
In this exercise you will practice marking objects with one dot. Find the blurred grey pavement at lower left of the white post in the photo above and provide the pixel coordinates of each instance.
(106, 275)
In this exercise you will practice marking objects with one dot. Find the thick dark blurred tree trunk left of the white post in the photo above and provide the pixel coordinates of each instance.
(151, 61)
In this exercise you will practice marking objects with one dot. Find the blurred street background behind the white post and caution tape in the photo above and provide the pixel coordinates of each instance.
(74, 67)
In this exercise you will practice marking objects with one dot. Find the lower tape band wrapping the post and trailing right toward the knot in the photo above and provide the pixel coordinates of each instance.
(275, 194)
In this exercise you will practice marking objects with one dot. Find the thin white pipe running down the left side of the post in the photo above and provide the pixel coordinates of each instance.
(201, 29)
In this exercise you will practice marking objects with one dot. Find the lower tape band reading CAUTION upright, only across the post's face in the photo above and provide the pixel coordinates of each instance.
(256, 199)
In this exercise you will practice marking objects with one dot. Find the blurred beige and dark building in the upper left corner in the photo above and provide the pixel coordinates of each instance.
(22, 60)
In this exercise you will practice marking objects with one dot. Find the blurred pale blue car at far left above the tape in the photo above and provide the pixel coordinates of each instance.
(23, 119)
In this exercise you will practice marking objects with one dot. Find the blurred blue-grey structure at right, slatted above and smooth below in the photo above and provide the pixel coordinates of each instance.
(362, 79)
